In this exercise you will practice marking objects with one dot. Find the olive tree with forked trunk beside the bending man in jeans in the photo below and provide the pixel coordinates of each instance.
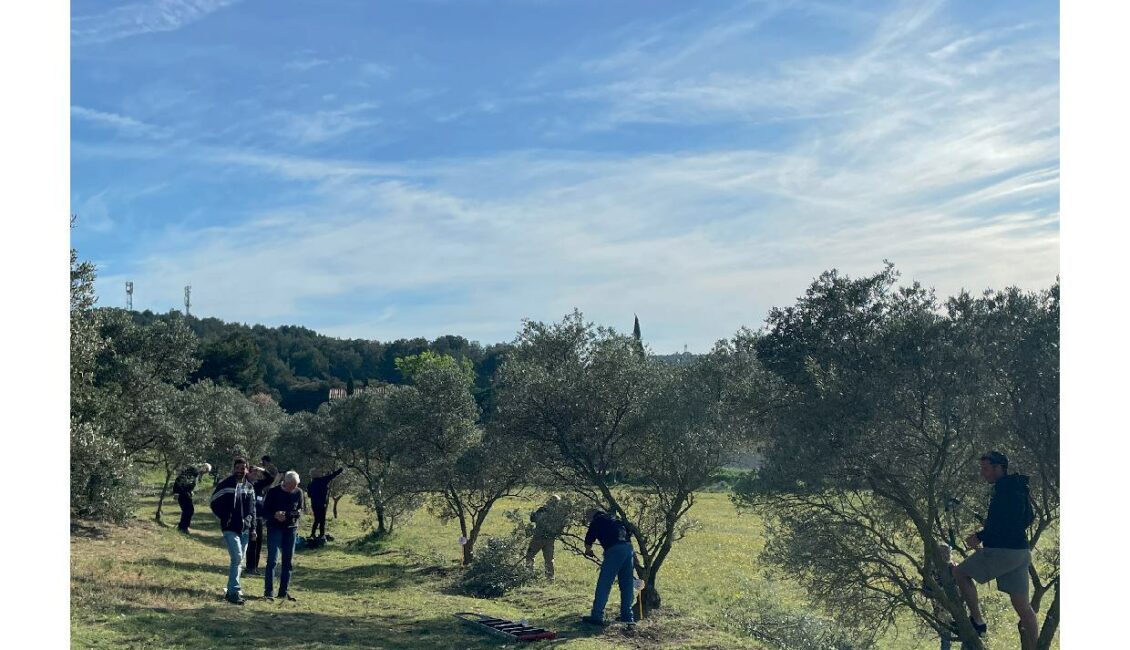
(594, 412)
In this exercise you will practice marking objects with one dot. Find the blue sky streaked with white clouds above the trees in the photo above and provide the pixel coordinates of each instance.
(388, 170)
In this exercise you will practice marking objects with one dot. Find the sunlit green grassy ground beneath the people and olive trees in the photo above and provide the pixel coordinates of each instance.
(147, 586)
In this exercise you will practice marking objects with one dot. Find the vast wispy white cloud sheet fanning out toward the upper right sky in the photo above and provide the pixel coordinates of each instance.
(907, 135)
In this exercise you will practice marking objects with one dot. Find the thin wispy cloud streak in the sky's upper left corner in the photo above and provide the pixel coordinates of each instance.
(142, 19)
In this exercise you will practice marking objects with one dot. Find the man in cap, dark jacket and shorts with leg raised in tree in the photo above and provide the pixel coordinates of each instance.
(1004, 551)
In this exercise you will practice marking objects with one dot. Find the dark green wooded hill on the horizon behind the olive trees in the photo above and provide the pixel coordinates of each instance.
(298, 367)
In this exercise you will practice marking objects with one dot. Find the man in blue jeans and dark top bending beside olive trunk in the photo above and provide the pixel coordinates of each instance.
(618, 565)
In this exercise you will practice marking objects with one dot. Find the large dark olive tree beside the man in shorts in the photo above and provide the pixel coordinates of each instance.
(885, 402)
